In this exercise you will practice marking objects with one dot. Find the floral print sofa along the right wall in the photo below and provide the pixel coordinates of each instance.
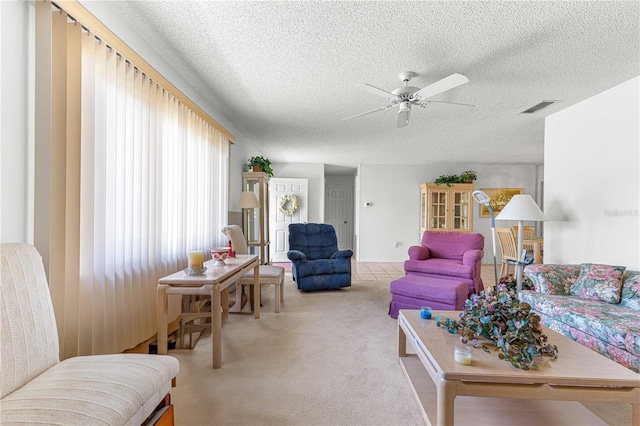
(598, 306)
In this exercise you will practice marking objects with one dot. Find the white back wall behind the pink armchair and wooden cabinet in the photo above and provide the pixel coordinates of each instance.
(395, 212)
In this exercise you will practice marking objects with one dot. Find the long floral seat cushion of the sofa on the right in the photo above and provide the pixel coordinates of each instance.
(616, 325)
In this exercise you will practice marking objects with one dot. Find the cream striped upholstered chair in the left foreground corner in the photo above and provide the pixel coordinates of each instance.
(37, 388)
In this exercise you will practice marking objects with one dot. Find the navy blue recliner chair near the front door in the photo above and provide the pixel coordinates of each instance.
(317, 262)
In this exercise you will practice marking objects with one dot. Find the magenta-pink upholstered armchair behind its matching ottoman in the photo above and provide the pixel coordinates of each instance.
(448, 255)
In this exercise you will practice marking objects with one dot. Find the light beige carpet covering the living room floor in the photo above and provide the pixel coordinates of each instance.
(328, 358)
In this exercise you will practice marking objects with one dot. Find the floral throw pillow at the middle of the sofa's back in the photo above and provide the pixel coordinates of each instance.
(599, 282)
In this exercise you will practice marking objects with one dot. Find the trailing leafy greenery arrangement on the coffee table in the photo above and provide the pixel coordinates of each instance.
(500, 317)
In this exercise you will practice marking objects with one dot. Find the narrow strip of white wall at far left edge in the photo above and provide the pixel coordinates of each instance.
(16, 148)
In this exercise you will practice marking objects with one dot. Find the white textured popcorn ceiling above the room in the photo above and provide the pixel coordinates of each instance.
(285, 73)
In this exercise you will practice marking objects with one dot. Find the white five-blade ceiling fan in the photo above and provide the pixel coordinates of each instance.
(404, 97)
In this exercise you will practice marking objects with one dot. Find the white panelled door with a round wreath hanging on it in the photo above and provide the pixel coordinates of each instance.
(279, 222)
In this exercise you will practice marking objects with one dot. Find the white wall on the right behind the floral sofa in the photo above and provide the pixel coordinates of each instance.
(592, 180)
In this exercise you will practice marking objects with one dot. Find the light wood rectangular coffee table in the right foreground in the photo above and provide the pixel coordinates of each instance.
(578, 374)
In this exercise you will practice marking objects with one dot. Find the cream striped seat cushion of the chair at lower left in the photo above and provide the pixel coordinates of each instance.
(85, 391)
